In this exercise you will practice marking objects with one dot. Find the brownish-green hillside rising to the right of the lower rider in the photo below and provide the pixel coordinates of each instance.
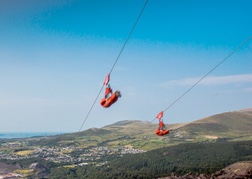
(234, 125)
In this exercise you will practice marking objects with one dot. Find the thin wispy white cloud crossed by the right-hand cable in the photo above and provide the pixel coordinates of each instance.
(210, 81)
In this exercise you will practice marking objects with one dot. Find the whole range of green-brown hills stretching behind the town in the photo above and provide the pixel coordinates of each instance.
(229, 126)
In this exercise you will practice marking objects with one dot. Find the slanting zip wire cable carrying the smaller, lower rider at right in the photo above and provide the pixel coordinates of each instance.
(236, 49)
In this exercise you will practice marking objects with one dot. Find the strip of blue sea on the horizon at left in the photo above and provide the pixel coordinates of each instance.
(12, 135)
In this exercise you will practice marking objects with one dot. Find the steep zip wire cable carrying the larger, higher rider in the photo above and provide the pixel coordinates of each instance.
(127, 39)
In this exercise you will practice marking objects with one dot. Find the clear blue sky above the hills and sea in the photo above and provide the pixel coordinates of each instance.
(55, 55)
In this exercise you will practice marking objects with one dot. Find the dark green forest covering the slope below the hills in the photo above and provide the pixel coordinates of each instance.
(181, 159)
